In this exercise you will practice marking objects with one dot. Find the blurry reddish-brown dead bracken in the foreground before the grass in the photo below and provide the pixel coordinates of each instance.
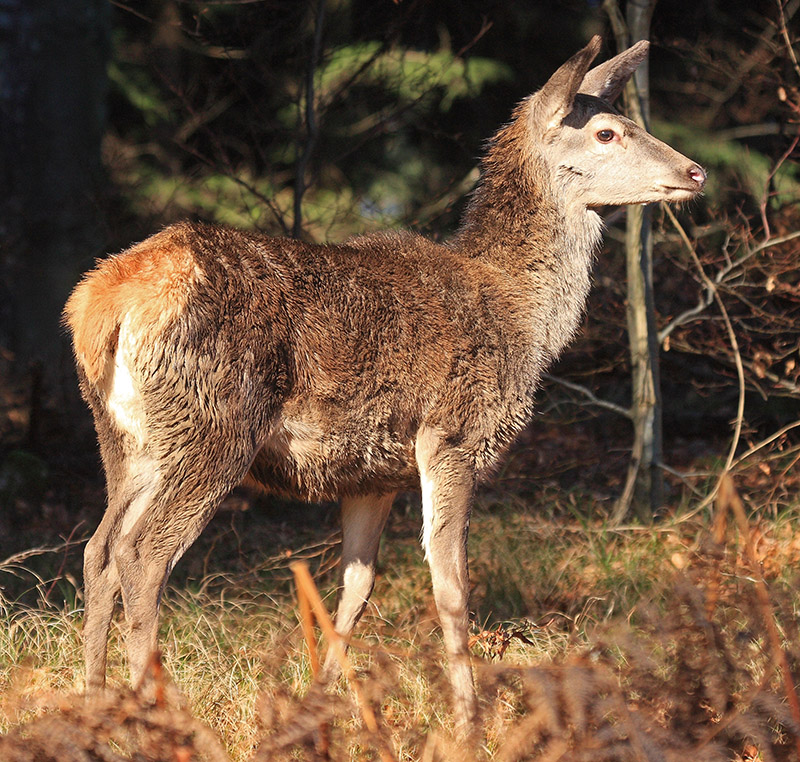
(706, 675)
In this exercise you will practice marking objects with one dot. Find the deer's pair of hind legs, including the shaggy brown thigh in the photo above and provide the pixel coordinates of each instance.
(181, 446)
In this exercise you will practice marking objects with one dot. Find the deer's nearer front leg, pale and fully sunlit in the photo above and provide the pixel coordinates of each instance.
(447, 477)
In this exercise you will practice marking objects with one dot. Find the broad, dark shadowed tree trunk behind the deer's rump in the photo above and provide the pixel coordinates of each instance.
(52, 95)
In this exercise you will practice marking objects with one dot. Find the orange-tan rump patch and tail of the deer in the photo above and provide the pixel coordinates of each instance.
(145, 288)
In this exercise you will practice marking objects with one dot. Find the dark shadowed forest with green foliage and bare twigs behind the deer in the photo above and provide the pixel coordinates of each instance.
(326, 119)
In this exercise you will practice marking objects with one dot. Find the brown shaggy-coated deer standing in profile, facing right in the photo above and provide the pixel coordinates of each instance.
(212, 357)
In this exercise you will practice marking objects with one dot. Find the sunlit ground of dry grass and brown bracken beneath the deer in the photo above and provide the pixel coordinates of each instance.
(646, 644)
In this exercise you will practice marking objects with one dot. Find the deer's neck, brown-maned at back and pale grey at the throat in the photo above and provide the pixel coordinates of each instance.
(522, 222)
